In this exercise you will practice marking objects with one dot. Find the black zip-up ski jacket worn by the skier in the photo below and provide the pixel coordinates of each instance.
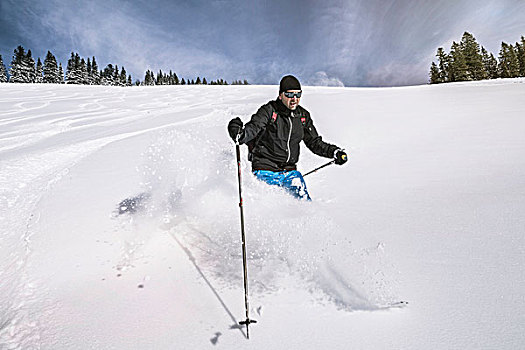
(275, 133)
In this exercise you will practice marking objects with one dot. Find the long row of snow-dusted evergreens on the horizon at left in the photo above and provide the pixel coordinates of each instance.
(79, 70)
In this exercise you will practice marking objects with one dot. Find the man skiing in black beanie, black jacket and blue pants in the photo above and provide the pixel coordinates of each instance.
(273, 136)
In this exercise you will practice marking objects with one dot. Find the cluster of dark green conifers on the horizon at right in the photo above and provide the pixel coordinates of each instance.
(467, 61)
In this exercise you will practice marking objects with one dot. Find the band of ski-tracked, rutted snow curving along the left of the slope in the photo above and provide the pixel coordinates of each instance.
(32, 128)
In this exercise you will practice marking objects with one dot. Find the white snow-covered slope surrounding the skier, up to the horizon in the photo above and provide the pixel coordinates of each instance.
(429, 209)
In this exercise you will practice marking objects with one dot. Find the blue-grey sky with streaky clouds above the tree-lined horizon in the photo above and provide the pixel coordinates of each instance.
(331, 42)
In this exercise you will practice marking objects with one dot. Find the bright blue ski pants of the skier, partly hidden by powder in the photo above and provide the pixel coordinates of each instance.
(292, 181)
